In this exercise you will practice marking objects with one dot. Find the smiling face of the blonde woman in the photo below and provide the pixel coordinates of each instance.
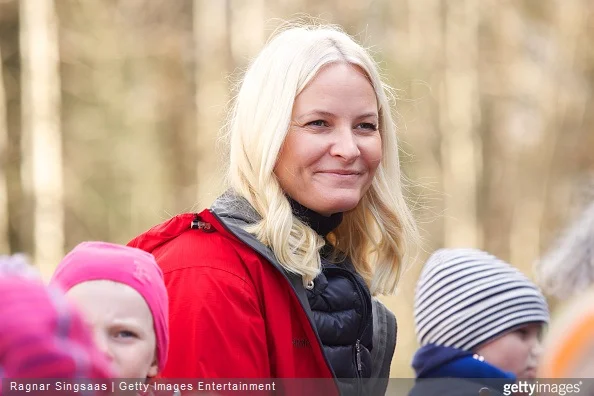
(333, 146)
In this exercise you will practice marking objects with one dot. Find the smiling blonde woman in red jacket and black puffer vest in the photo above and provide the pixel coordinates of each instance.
(276, 279)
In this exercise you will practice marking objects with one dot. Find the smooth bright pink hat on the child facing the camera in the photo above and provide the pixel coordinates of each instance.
(133, 267)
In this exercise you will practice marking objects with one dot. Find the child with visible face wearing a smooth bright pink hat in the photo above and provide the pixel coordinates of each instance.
(121, 292)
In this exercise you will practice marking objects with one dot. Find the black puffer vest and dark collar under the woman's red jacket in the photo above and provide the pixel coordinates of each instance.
(342, 309)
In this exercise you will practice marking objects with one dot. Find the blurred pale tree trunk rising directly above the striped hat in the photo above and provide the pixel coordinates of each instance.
(461, 153)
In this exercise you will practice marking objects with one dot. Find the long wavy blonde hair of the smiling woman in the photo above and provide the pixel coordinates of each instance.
(375, 233)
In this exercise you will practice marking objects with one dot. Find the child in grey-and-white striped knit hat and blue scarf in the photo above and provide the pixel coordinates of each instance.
(476, 318)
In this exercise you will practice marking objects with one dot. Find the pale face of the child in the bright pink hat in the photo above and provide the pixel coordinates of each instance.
(122, 323)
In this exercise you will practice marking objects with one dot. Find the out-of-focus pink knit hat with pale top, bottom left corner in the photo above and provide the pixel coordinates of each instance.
(41, 334)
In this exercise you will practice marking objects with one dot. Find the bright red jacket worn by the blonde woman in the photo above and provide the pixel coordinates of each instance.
(233, 313)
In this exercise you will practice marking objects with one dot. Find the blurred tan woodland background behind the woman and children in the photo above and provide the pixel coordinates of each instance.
(110, 113)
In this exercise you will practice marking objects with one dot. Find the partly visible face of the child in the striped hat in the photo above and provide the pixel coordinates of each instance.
(516, 351)
